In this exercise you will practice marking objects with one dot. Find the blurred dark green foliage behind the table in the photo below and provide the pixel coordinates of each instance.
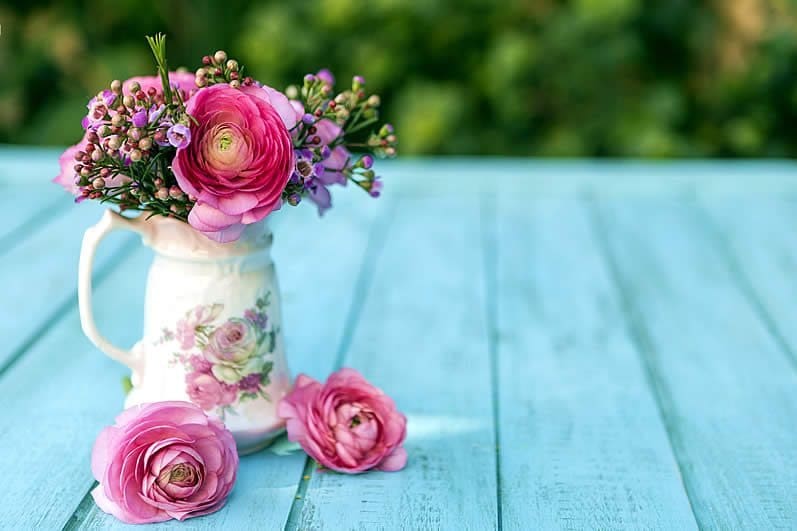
(668, 78)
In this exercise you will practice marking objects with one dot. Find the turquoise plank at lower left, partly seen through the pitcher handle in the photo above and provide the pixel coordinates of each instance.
(55, 401)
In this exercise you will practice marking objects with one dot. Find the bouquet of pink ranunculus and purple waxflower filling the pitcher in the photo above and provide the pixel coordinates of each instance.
(220, 150)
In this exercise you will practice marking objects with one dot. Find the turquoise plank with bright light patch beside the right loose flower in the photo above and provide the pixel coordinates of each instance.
(422, 338)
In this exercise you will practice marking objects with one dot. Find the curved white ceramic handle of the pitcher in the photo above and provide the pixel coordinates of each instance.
(109, 222)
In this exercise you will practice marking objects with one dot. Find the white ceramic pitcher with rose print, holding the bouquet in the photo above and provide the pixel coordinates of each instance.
(212, 325)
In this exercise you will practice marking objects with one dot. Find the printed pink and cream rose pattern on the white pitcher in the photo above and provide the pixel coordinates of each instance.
(226, 362)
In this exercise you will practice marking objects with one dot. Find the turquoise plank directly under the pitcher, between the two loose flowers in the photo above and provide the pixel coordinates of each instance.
(318, 261)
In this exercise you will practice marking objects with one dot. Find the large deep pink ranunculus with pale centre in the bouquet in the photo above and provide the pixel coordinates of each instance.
(239, 159)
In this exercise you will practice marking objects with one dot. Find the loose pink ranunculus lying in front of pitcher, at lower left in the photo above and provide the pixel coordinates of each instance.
(161, 461)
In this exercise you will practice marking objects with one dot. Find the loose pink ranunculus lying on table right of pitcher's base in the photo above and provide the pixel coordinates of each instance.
(346, 424)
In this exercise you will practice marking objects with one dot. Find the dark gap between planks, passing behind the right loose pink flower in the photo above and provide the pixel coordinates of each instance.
(373, 249)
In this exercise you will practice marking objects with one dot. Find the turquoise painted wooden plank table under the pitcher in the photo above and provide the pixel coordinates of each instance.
(577, 345)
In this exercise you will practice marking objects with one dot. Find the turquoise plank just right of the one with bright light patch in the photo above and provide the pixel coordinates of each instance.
(583, 445)
